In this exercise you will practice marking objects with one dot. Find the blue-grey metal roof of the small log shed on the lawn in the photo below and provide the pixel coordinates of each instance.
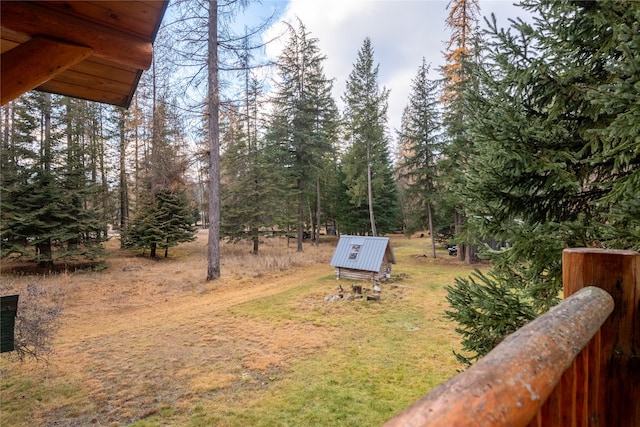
(369, 255)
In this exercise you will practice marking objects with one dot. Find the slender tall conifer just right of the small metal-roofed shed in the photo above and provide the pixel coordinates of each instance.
(421, 141)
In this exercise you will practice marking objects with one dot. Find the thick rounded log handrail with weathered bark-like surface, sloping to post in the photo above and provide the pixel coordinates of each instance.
(509, 385)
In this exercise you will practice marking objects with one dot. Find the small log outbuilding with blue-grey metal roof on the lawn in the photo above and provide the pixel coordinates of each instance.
(363, 258)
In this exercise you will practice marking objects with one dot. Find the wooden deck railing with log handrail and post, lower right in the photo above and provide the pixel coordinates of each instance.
(577, 365)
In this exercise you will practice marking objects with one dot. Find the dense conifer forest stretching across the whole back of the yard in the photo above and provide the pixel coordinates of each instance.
(526, 144)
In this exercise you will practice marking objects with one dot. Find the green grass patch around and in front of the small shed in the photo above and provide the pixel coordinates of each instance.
(384, 354)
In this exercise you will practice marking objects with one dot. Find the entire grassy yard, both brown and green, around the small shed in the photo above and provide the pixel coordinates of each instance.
(150, 343)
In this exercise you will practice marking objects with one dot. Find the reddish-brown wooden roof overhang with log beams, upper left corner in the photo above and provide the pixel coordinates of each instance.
(94, 50)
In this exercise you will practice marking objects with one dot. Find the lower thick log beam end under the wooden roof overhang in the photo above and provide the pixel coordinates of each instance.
(39, 60)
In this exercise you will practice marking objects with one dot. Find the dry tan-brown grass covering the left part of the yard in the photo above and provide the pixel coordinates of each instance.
(147, 338)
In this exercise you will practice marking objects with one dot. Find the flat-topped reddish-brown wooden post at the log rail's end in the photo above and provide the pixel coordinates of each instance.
(616, 398)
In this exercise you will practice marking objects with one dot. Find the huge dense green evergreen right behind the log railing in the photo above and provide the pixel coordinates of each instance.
(554, 163)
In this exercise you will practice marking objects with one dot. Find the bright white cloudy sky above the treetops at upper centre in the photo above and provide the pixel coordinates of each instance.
(402, 32)
